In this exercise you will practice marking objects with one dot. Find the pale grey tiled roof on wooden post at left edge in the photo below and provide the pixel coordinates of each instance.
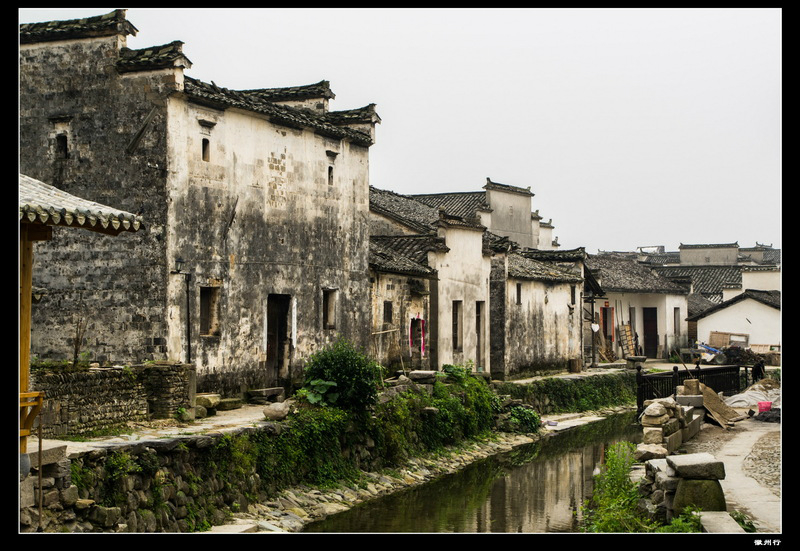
(40, 203)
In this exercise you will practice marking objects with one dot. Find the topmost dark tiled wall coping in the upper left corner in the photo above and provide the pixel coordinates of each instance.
(109, 24)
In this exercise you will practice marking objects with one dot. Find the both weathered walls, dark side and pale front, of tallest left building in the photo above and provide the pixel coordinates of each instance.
(270, 222)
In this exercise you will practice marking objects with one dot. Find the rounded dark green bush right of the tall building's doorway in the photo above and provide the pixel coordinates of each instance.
(354, 377)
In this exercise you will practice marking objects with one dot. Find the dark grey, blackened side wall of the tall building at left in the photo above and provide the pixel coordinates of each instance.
(71, 89)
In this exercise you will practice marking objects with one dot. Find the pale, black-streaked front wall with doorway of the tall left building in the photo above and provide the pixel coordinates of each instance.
(259, 216)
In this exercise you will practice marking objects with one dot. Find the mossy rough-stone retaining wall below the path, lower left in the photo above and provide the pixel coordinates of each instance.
(163, 485)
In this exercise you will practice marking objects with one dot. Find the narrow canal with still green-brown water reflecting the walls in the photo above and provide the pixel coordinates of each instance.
(536, 488)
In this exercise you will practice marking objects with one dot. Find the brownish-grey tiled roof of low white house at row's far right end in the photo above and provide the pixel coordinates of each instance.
(624, 274)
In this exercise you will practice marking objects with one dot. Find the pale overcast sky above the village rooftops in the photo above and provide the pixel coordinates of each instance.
(632, 126)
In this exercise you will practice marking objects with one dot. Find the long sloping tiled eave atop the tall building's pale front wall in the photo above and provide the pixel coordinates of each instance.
(213, 95)
